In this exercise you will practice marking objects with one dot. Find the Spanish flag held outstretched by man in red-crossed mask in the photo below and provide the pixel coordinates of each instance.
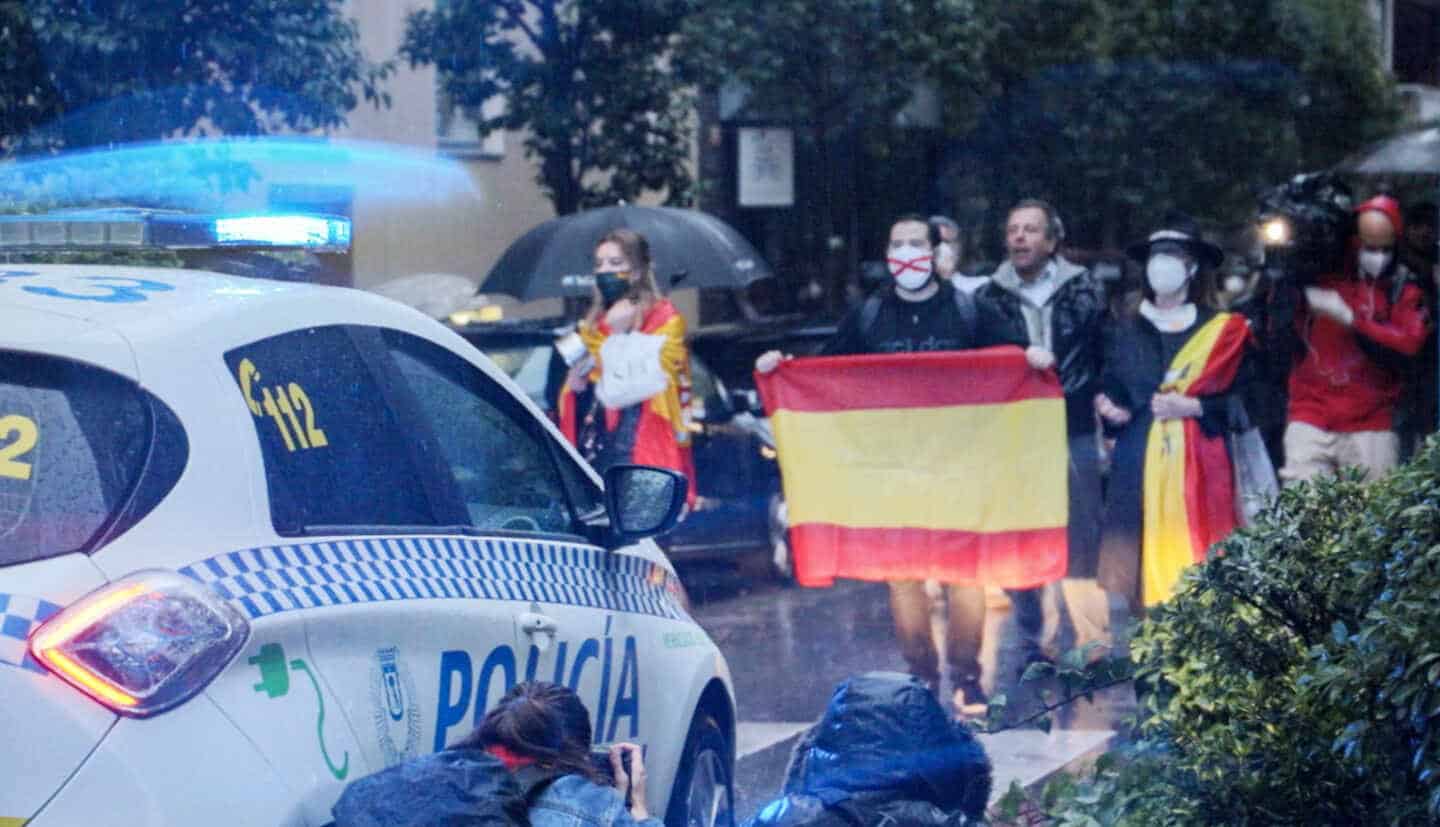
(947, 465)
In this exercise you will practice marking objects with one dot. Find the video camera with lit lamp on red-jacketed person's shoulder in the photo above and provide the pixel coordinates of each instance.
(1304, 225)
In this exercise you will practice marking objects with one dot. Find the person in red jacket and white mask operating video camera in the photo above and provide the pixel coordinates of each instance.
(1357, 332)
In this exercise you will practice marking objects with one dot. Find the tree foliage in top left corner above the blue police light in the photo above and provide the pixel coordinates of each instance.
(83, 73)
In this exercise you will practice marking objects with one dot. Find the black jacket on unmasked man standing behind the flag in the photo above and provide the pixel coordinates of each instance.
(1079, 313)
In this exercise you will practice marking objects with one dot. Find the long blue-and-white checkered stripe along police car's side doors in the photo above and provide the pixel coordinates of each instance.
(274, 580)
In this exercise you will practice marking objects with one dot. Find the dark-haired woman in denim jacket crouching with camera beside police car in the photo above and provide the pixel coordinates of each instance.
(546, 727)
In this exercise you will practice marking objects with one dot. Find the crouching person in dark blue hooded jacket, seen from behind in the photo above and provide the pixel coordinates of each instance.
(883, 754)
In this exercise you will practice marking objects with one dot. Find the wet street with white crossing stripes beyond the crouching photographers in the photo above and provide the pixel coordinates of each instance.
(788, 648)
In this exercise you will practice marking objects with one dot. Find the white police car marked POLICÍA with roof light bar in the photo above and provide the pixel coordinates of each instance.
(258, 540)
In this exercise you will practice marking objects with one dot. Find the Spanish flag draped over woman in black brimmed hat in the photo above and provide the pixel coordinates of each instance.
(1189, 496)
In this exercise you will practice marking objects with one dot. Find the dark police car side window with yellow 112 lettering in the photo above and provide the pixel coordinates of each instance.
(335, 453)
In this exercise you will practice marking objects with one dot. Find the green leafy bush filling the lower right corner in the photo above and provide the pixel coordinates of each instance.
(1297, 678)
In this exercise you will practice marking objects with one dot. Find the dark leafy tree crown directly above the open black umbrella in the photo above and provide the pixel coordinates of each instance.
(590, 81)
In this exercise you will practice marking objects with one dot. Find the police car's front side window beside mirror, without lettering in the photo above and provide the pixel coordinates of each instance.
(498, 453)
